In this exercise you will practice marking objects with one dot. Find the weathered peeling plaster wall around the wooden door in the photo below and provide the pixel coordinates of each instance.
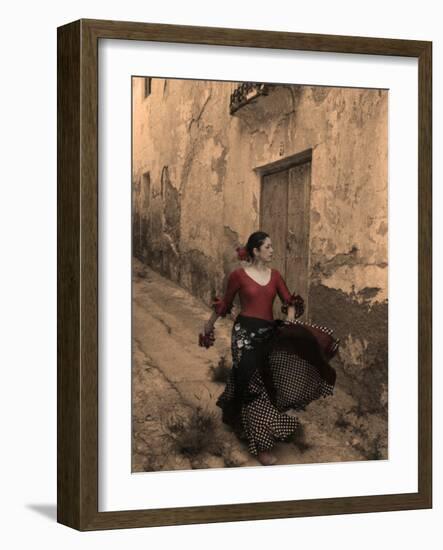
(202, 199)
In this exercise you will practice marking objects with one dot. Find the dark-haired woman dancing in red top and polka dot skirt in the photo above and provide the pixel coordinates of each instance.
(276, 365)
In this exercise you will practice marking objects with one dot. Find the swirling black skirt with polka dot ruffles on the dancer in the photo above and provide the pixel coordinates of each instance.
(270, 375)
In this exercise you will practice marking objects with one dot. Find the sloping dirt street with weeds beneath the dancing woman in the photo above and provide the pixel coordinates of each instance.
(176, 424)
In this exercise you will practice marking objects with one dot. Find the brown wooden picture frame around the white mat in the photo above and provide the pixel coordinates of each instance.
(77, 433)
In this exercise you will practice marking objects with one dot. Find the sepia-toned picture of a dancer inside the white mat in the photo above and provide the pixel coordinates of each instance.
(259, 299)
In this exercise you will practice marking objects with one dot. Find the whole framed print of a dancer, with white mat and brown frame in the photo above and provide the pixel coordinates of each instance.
(244, 274)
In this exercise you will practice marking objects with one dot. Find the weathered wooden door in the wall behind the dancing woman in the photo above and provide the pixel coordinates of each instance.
(285, 205)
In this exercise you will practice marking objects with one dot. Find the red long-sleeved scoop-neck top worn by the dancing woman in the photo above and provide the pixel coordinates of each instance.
(256, 300)
